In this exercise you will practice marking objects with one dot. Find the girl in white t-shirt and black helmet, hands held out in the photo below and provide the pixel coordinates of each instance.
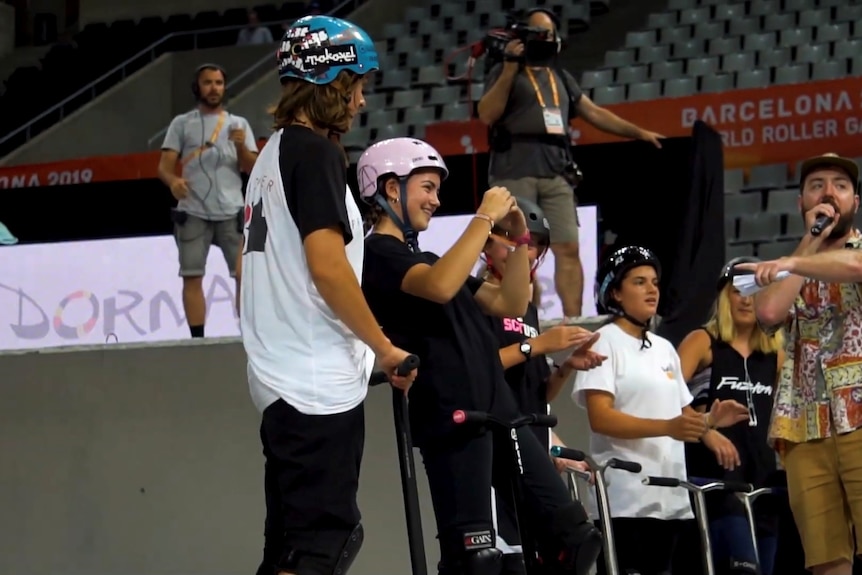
(638, 406)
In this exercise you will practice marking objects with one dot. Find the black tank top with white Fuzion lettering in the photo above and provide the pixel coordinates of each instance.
(750, 381)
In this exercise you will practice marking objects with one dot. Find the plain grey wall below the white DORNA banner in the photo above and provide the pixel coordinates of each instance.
(145, 460)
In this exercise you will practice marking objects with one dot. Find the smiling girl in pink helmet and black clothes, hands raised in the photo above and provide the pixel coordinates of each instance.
(434, 303)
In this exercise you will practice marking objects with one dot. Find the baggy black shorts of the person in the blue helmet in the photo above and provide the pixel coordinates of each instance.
(311, 478)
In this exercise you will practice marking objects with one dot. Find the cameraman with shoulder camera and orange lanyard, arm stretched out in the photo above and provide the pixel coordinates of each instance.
(528, 102)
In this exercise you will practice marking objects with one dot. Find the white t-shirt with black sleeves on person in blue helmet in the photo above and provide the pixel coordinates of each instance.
(297, 348)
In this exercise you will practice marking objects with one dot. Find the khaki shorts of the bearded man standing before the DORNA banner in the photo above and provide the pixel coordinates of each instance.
(194, 238)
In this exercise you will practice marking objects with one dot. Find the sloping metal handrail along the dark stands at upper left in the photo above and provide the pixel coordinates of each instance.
(91, 90)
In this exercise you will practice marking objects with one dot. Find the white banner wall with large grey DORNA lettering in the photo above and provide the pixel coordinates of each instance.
(84, 293)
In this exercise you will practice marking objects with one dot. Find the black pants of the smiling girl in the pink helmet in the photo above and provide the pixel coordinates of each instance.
(461, 469)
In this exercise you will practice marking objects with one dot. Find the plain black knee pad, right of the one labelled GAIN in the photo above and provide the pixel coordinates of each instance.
(578, 542)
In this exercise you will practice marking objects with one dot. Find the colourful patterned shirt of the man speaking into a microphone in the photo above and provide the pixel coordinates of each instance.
(820, 387)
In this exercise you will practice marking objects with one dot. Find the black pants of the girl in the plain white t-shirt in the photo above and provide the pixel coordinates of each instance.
(645, 546)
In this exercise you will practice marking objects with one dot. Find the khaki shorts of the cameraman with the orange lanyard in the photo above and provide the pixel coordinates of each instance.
(556, 197)
